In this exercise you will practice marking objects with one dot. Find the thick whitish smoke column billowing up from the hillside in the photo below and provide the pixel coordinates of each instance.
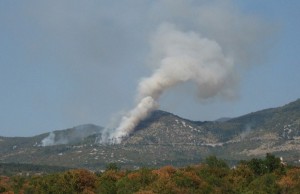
(181, 57)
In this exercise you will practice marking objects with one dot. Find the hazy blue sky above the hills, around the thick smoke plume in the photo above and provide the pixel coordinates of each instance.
(70, 62)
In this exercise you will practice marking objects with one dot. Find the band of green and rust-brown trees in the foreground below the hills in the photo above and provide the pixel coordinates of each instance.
(267, 175)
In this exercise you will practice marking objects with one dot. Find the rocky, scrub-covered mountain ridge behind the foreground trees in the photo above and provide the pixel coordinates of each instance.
(164, 138)
